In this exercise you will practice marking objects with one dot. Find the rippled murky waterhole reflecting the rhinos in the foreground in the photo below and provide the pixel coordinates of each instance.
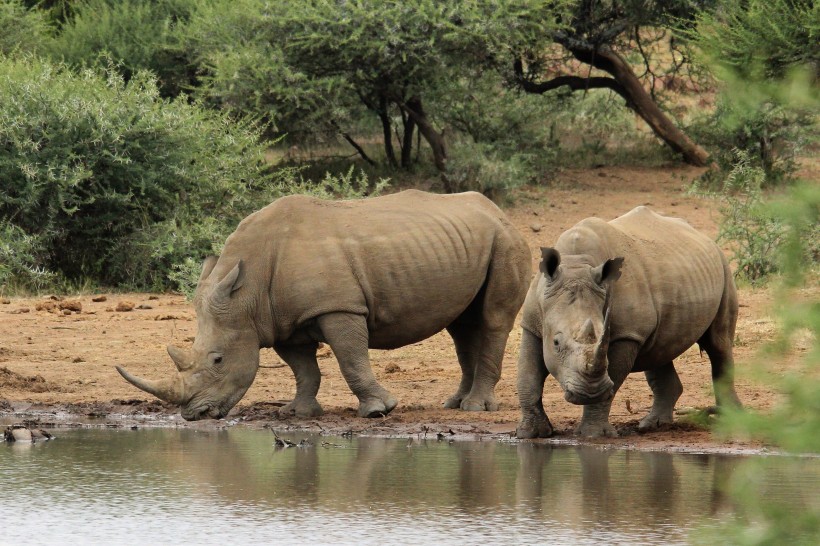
(233, 486)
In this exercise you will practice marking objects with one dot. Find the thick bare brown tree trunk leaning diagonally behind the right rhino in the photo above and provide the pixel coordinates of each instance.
(604, 58)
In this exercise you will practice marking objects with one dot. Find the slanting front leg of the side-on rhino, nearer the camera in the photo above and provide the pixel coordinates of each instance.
(347, 335)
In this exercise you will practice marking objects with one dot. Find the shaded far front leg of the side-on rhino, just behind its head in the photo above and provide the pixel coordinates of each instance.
(302, 361)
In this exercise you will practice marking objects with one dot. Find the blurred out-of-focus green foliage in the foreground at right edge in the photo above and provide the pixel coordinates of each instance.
(794, 425)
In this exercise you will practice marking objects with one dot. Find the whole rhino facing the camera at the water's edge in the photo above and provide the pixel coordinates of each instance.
(625, 296)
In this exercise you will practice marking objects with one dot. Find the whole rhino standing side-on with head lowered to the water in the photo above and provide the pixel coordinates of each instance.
(375, 273)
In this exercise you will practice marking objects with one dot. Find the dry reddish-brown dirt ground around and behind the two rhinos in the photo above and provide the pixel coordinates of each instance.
(58, 364)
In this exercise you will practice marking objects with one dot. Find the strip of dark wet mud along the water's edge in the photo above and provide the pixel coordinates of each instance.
(680, 437)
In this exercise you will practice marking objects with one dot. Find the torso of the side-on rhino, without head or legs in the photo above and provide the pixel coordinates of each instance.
(411, 262)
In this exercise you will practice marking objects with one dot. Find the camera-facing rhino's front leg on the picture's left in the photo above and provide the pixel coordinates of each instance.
(532, 372)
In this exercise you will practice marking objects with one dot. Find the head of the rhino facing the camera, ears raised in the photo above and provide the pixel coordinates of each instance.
(576, 324)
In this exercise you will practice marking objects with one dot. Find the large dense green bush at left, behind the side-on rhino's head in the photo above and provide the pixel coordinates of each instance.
(97, 169)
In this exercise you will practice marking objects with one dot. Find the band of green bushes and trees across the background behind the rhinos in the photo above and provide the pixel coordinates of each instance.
(135, 134)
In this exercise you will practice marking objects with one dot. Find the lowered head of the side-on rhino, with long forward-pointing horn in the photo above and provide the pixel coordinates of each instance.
(220, 367)
